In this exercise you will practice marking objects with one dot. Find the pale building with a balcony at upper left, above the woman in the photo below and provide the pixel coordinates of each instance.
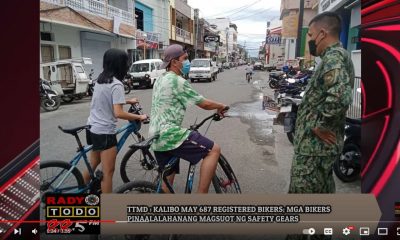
(85, 28)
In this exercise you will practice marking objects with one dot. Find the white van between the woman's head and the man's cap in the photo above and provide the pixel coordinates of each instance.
(145, 72)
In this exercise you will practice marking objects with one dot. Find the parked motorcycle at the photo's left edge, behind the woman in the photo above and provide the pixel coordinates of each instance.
(49, 99)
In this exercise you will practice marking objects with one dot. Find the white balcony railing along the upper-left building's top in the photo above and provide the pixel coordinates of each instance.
(96, 7)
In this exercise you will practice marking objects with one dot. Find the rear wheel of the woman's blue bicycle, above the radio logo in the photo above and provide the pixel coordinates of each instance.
(51, 173)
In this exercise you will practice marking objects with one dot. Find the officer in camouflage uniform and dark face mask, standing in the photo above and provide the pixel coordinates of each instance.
(321, 116)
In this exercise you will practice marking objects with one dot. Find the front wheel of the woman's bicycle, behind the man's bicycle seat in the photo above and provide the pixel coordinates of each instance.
(135, 165)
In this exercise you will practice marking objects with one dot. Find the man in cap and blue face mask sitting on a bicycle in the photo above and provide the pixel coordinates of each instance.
(171, 96)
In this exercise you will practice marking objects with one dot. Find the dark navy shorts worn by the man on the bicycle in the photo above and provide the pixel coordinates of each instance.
(193, 149)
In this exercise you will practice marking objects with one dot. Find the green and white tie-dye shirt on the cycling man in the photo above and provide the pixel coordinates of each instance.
(171, 95)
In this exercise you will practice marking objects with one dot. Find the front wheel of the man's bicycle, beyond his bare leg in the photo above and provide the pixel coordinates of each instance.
(225, 180)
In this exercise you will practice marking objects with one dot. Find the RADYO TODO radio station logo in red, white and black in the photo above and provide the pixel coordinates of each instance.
(72, 213)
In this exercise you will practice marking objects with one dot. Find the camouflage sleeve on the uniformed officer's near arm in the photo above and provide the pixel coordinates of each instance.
(338, 87)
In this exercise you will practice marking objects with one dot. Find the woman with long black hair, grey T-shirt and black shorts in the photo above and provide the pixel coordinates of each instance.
(106, 107)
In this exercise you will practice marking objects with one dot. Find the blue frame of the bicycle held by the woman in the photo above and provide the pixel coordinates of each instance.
(127, 130)
